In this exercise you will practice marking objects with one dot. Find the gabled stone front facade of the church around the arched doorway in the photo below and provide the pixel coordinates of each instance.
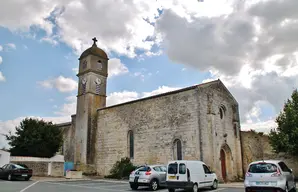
(220, 133)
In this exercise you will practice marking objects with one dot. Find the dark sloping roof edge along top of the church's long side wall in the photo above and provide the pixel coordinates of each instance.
(163, 94)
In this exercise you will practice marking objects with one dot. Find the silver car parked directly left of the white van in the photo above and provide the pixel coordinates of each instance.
(153, 176)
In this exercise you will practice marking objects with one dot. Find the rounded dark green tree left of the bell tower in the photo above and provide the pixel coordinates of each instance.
(35, 138)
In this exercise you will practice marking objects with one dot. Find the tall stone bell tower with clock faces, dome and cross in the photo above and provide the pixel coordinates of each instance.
(93, 73)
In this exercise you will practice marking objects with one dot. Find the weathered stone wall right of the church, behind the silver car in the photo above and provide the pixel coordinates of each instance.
(256, 146)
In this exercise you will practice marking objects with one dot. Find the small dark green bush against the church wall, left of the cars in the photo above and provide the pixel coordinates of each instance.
(121, 169)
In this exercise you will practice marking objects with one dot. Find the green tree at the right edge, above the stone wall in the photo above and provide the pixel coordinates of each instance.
(284, 138)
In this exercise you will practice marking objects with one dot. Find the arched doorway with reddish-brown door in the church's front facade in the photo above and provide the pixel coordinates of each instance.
(226, 161)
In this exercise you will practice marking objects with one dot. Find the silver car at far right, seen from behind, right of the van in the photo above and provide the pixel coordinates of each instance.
(269, 175)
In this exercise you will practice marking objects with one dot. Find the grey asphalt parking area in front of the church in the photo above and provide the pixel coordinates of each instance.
(78, 186)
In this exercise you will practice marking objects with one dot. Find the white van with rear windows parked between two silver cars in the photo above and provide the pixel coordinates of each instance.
(184, 174)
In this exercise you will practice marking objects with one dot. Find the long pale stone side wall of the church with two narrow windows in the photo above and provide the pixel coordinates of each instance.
(156, 123)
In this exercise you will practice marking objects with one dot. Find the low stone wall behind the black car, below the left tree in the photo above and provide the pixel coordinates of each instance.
(42, 166)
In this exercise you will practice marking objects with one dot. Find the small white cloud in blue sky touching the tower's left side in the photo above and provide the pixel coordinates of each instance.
(63, 84)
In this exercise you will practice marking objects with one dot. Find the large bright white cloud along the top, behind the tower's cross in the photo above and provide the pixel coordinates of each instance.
(75, 21)
